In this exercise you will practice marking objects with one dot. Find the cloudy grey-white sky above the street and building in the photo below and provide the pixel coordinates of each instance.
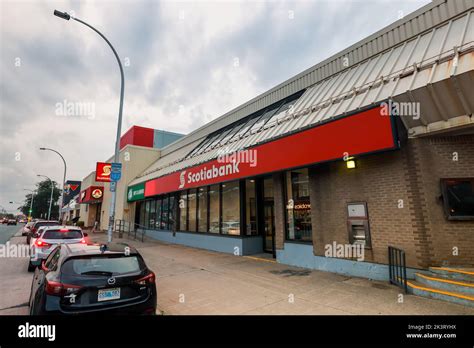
(186, 63)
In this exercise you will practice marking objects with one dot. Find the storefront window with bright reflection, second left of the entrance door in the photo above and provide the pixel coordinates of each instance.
(230, 208)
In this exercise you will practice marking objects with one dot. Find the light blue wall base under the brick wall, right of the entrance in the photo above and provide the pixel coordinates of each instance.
(301, 255)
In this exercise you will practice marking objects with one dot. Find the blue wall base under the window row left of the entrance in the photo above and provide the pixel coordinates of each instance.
(231, 245)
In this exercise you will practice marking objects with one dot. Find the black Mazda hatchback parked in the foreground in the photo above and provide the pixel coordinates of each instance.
(93, 279)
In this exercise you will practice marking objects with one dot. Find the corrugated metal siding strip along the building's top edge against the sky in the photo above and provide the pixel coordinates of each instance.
(413, 24)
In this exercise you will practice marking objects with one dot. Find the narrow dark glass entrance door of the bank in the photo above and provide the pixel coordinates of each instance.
(268, 217)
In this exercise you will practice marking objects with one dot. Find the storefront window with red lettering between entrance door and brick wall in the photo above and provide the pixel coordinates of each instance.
(298, 206)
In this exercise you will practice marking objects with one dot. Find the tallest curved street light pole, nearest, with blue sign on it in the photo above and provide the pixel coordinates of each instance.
(66, 16)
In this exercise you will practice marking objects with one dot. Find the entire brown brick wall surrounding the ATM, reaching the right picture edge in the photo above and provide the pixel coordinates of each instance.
(409, 178)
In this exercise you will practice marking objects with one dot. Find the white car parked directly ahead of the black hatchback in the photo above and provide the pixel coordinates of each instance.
(44, 241)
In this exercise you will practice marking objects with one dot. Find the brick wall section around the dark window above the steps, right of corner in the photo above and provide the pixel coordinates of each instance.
(437, 162)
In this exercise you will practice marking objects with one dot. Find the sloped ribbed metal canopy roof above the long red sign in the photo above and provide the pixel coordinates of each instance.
(434, 69)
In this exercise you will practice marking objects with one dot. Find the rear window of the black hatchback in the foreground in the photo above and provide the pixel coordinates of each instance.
(102, 265)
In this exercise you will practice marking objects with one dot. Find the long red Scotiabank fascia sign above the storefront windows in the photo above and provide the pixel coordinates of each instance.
(366, 132)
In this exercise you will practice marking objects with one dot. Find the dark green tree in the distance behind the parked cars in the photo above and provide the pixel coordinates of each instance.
(41, 201)
